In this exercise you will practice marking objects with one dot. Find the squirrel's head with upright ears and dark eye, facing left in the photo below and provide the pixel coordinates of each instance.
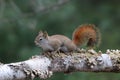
(41, 39)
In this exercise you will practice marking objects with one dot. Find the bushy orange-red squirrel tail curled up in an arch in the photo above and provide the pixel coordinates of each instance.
(86, 33)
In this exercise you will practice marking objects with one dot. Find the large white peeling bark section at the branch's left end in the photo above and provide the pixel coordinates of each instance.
(37, 66)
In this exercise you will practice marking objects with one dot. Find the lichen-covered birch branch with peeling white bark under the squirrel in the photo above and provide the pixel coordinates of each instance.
(44, 66)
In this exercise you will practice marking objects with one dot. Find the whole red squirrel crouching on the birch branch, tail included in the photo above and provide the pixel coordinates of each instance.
(86, 33)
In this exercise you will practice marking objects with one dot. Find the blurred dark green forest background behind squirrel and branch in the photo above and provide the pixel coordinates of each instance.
(21, 20)
